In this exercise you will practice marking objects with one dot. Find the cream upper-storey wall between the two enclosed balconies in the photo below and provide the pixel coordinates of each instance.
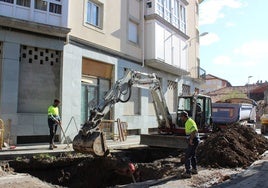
(113, 34)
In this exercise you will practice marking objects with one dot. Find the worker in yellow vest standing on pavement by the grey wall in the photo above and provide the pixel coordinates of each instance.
(53, 122)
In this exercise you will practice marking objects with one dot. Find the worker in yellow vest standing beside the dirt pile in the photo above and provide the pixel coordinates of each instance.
(191, 131)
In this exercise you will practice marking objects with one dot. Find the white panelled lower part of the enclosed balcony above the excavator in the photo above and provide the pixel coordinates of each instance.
(164, 48)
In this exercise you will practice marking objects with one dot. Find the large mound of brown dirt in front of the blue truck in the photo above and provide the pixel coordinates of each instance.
(236, 146)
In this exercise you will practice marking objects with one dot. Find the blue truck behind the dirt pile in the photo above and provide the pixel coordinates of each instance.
(233, 111)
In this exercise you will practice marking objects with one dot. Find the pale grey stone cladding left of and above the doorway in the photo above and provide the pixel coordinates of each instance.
(71, 84)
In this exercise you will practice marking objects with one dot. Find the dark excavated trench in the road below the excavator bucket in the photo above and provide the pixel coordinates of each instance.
(76, 170)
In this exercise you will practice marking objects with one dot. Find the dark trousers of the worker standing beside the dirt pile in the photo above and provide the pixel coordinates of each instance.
(190, 155)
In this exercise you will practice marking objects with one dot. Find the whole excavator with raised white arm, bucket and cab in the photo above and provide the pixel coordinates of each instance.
(91, 139)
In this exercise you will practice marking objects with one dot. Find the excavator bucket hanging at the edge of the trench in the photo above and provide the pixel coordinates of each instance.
(93, 143)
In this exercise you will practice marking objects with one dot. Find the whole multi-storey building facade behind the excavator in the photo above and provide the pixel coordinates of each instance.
(105, 39)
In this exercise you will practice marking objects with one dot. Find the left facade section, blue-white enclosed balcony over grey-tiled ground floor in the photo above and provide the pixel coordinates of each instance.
(32, 37)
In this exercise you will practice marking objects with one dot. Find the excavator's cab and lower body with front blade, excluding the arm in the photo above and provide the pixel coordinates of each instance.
(197, 106)
